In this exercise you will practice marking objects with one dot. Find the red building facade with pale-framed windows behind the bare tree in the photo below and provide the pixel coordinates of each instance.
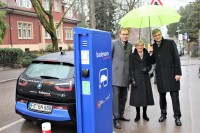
(25, 30)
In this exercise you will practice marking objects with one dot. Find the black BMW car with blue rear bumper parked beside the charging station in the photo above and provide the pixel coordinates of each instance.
(46, 91)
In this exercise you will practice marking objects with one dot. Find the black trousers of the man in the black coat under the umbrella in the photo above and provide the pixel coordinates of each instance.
(175, 103)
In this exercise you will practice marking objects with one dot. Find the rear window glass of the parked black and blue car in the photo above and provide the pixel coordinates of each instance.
(56, 71)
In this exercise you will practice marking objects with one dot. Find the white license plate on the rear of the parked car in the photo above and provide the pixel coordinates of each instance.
(40, 107)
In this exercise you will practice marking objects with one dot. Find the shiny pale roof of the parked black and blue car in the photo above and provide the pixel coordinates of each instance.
(65, 57)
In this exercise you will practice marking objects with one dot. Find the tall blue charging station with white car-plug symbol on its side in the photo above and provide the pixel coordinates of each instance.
(93, 80)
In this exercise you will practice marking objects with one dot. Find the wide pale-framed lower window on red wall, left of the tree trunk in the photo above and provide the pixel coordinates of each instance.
(25, 30)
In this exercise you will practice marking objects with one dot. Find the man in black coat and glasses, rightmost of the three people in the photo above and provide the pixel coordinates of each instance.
(168, 73)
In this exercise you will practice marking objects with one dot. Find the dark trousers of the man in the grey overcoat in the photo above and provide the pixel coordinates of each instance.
(119, 100)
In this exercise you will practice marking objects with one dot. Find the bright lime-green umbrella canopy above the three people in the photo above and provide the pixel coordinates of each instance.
(149, 16)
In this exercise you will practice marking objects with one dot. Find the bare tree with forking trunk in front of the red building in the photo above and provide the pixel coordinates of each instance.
(46, 19)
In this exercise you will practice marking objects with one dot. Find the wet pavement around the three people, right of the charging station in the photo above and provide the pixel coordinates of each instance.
(189, 100)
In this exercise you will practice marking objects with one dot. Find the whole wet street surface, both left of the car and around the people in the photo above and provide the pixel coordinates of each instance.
(189, 94)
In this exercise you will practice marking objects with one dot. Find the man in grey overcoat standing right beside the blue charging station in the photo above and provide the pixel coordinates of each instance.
(121, 50)
